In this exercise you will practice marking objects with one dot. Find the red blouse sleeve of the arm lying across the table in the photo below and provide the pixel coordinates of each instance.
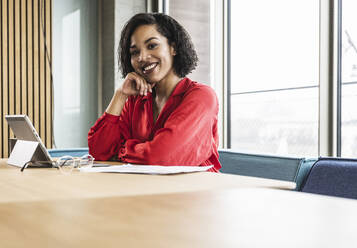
(186, 138)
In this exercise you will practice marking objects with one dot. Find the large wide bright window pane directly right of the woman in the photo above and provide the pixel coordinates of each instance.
(274, 74)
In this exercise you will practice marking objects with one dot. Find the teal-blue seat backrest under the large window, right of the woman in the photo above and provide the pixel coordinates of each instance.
(265, 166)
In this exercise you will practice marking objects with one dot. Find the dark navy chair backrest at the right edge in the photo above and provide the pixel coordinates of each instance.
(334, 177)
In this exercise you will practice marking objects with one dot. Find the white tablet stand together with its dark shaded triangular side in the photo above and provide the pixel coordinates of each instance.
(25, 151)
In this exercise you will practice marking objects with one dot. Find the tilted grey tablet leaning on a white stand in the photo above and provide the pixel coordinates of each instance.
(23, 129)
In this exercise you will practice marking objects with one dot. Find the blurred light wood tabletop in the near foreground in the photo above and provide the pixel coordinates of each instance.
(243, 217)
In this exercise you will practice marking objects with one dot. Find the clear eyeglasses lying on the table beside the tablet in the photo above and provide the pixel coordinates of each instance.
(65, 164)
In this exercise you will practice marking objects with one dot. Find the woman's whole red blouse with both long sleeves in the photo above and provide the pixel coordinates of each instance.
(185, 132)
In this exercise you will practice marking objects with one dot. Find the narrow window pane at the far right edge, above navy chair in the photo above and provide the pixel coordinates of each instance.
(349, 78)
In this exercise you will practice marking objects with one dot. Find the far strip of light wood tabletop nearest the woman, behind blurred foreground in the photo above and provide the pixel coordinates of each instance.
(49, 184)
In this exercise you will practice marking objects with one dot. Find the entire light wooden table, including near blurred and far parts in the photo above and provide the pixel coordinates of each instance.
(166, 211)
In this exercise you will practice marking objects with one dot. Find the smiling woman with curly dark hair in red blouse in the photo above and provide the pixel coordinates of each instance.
(158, 116)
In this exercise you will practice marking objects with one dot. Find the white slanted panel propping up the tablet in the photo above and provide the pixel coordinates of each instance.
(22, 153)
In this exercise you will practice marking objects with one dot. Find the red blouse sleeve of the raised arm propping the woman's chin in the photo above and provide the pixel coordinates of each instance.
(109, 133)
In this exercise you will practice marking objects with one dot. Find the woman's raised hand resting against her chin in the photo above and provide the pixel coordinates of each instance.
(134, 84)
